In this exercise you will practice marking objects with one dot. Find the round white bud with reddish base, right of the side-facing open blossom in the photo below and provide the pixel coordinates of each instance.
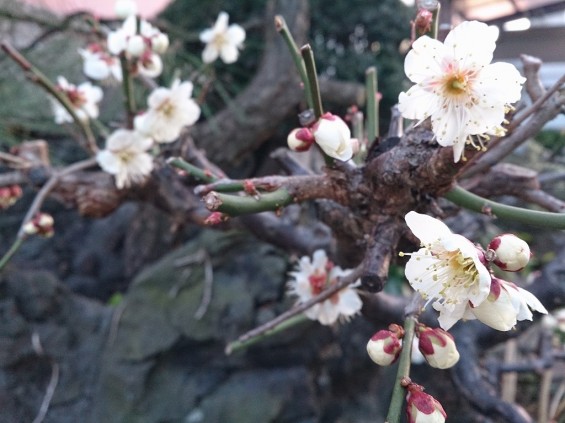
(510, 252)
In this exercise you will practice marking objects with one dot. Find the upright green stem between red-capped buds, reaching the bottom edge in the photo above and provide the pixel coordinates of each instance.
(403, 371)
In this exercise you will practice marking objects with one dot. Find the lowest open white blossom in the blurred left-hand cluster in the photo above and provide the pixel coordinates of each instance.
(126, 157)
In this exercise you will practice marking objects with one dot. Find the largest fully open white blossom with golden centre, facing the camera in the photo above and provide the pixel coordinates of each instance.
(457, 86)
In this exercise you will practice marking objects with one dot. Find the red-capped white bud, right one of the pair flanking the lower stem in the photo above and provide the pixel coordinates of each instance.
(437, 347)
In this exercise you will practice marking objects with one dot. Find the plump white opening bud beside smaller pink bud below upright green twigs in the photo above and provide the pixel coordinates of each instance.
(333, 136)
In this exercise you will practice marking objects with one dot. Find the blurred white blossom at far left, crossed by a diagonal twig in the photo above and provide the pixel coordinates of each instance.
(84, 99)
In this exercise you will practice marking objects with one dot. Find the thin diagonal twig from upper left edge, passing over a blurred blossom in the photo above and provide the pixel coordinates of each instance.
(35, 75)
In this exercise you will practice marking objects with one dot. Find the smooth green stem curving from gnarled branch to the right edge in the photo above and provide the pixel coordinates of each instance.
(471, 201)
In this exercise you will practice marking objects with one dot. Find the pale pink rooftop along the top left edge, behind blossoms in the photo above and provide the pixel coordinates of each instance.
(99, 8)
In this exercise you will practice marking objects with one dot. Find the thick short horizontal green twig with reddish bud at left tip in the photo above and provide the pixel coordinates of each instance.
(234, 205)
